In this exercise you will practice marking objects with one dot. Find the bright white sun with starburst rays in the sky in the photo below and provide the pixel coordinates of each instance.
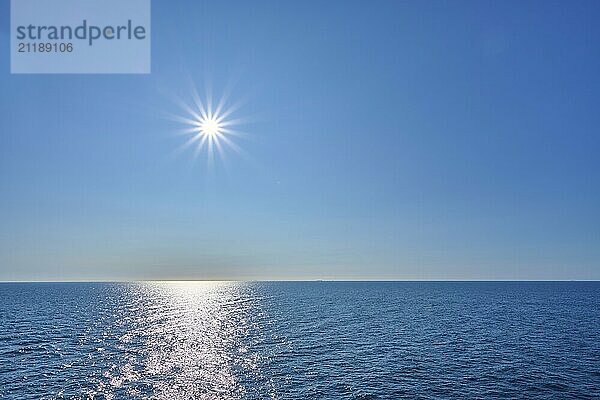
(209, 128)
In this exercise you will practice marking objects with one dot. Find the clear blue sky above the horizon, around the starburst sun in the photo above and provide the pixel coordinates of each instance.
(389, 140)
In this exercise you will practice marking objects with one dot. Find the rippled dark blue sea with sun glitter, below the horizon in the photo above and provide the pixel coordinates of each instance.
(300, 340)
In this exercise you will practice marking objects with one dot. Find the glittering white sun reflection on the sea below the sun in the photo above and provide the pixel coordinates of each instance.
(190, 341)
